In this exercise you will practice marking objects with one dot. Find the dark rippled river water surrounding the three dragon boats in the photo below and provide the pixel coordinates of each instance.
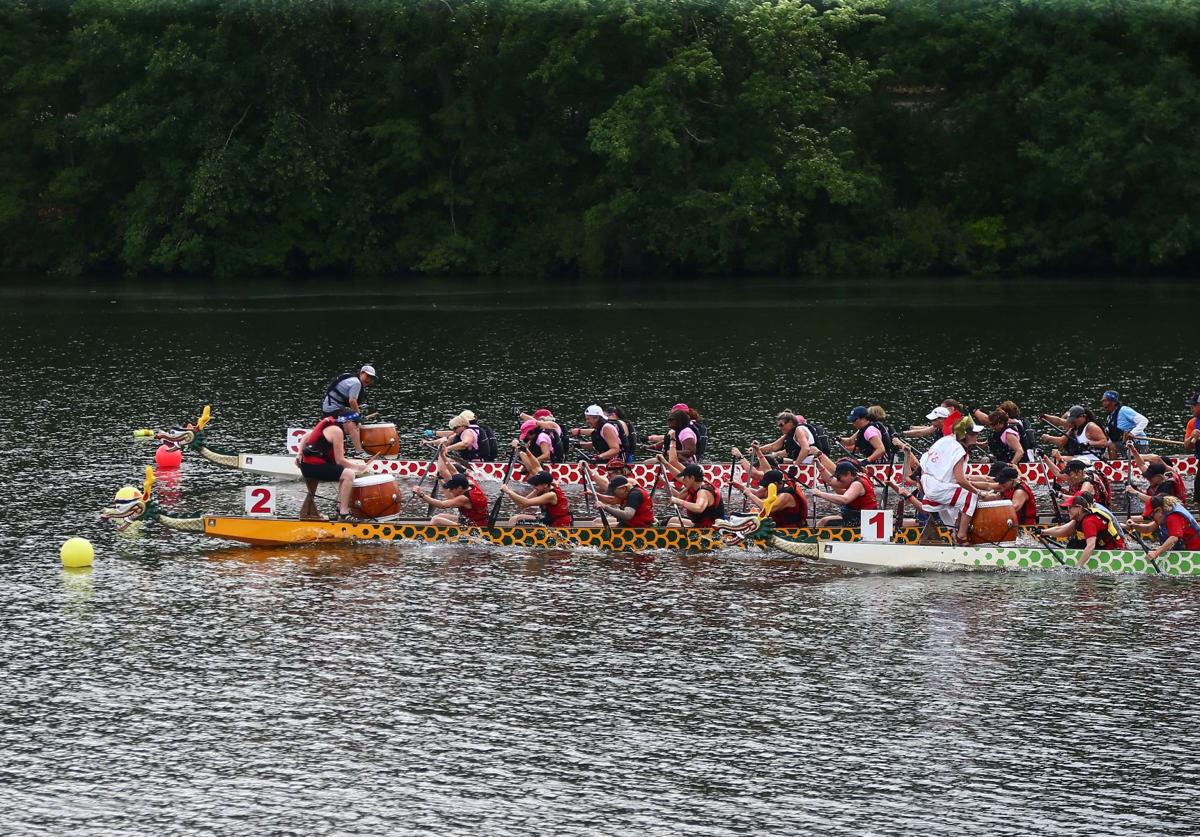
(185, 687)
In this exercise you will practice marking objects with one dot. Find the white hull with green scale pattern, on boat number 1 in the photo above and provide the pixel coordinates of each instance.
(899, 557)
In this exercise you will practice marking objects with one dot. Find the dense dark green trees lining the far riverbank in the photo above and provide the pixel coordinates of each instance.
(599, 136)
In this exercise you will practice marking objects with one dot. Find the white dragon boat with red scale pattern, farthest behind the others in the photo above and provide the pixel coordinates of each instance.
(194, 437)
